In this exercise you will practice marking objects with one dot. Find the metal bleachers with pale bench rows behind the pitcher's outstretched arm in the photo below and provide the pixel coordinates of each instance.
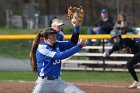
(98, 62)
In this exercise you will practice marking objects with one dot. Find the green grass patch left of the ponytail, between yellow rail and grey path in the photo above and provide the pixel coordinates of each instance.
(15, 49)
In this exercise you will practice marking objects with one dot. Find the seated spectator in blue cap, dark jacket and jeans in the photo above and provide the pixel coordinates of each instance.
(103, 26)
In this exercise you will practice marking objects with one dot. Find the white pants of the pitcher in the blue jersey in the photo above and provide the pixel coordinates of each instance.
(54, 86)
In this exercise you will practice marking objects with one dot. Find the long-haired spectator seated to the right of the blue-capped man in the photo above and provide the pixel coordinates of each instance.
(122, 24)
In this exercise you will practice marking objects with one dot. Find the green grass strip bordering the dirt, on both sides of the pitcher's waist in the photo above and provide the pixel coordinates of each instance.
(71, 76)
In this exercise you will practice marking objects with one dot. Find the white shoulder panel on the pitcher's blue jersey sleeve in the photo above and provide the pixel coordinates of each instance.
(43, 50)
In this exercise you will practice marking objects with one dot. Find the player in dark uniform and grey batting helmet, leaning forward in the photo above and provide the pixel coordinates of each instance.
(134, 48)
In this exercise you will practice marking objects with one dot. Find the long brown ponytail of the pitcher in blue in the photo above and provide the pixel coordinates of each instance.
(42, 34)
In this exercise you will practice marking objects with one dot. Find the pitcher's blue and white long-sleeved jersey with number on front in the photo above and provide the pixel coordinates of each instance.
(49, 57)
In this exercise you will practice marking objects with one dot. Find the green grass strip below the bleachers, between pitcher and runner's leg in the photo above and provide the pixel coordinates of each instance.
(96, 76)
